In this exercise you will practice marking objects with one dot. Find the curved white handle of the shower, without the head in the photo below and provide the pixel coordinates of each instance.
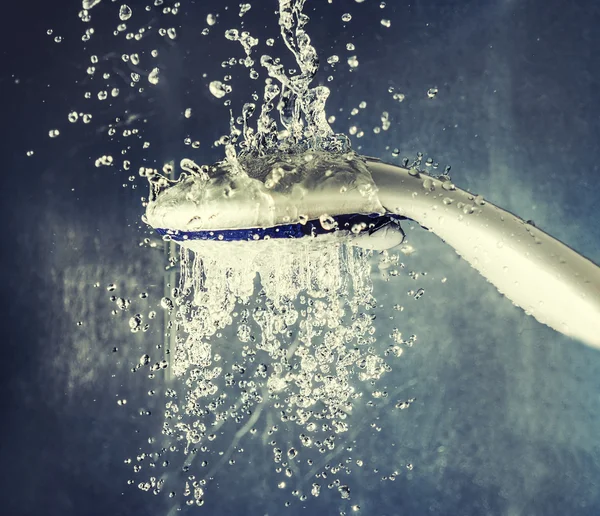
(538, 273)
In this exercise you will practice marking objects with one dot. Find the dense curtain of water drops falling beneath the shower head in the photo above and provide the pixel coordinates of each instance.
(299, 347)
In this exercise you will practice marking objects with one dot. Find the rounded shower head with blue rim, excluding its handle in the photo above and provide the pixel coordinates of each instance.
(314, 194)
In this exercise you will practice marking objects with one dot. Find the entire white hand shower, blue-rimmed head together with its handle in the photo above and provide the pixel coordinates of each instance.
(336, 197)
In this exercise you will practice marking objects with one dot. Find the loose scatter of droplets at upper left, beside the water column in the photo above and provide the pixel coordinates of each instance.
(133, 67)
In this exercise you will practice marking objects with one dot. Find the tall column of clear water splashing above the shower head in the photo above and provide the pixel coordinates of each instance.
(300, 108)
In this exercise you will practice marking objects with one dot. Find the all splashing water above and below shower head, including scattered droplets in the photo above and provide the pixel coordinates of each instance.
(261, 328)
